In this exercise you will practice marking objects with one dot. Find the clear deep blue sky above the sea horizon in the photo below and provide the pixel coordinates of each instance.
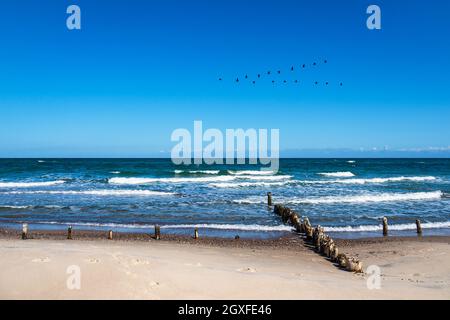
(137, 70)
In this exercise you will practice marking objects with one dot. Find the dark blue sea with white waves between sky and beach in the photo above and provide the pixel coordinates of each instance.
(346, 196)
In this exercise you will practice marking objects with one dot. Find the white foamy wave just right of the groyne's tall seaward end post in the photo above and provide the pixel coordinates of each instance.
(382, 197)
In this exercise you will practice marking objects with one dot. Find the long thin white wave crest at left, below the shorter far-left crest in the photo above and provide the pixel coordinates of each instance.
(97, 192)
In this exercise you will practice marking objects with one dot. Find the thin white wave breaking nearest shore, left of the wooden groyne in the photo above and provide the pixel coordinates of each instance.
(241, 227)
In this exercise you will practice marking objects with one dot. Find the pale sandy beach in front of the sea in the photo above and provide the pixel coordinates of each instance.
(138, 267)
